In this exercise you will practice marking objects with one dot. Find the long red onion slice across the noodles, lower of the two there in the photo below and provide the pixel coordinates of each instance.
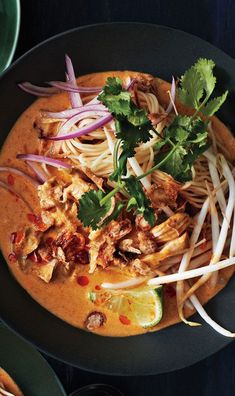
(84, 130)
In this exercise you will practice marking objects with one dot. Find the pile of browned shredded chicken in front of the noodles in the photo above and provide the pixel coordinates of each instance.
(116, 245)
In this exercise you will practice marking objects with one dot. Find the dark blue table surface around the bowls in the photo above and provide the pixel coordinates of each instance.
(212, 20)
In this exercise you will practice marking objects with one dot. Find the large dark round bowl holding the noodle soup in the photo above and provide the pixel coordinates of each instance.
(160, 51)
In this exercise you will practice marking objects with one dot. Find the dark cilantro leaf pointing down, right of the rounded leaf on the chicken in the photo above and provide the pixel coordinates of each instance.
(139, 200)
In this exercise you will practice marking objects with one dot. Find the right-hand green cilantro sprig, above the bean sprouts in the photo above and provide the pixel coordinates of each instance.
(186, 137)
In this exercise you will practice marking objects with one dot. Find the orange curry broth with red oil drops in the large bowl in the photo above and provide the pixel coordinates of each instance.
(67, 296)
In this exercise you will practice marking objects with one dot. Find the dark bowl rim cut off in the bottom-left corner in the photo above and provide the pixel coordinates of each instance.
(26, 366)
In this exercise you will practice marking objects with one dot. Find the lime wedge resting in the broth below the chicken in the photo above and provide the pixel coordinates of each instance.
(141, 306)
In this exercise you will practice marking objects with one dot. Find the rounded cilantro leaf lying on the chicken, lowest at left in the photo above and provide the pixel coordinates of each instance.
(90, 212)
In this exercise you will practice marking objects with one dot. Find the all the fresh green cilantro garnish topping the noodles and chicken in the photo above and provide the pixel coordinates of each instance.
(179, 145)
